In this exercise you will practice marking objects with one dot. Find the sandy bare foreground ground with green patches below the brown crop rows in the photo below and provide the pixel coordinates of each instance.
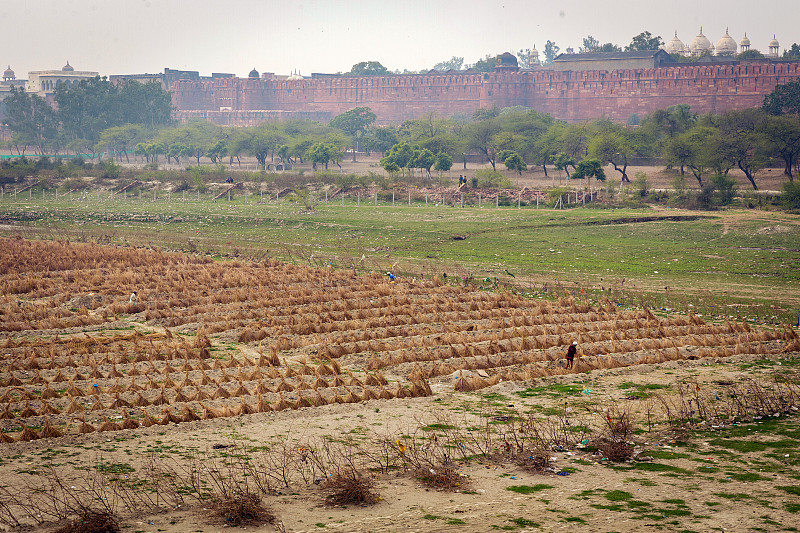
(409, 506)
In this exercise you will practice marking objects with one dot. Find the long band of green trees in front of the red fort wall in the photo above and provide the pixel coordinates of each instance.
(134, 119)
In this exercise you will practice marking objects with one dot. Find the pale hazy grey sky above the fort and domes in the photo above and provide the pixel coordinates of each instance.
(136, 36)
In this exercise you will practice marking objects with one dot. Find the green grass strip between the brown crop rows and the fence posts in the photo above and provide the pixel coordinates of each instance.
(738, 264)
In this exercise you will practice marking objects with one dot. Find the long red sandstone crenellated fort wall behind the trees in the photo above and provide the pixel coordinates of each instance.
(570, 95)
